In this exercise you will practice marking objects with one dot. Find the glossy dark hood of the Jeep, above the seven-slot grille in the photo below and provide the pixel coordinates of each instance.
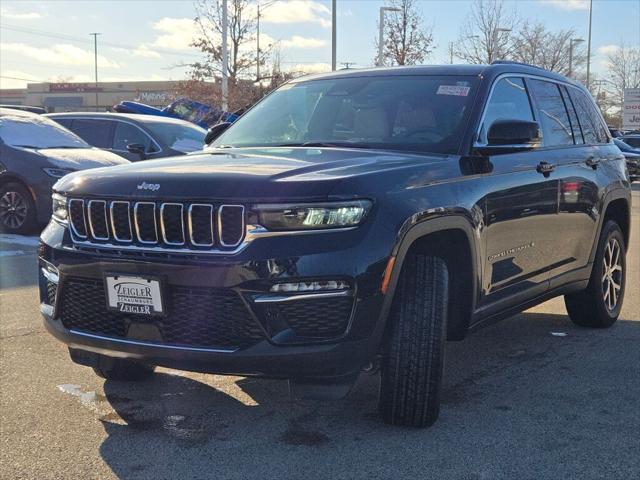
(249, 174)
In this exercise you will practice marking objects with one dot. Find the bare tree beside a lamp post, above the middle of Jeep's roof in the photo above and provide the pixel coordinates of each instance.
(407, 40)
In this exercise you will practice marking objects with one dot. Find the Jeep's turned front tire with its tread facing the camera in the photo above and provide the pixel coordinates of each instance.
(412, 365)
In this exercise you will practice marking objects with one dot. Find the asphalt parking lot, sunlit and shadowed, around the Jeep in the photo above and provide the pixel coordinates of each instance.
(532, 397)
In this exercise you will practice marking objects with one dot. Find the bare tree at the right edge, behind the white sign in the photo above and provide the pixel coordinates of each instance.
(623, 72)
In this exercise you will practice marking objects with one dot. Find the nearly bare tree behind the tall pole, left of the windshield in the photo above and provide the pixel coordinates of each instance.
(241, 38)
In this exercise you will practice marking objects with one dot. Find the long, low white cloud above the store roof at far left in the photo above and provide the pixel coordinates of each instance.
(59, 54)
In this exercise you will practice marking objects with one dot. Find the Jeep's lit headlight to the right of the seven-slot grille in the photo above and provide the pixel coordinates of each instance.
(312, 216)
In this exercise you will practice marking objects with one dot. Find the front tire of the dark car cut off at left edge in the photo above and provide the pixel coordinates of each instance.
(17, 209)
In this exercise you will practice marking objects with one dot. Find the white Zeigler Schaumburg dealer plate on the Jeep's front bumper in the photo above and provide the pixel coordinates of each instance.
(135, 295)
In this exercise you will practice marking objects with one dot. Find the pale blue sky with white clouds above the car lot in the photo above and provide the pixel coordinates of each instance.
(49, 40)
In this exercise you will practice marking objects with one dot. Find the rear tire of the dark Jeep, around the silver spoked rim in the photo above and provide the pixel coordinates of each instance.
(592, 306)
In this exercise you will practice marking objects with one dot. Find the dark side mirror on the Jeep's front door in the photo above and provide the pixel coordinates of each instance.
(509, 136)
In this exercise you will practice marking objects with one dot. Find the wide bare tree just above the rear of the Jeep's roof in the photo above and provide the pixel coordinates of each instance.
(536, 45)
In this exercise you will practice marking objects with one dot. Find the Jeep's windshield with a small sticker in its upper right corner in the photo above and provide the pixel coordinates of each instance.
(412, 113)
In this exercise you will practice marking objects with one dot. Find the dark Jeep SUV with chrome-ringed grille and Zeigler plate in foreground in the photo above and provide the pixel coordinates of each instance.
(348, 222)
